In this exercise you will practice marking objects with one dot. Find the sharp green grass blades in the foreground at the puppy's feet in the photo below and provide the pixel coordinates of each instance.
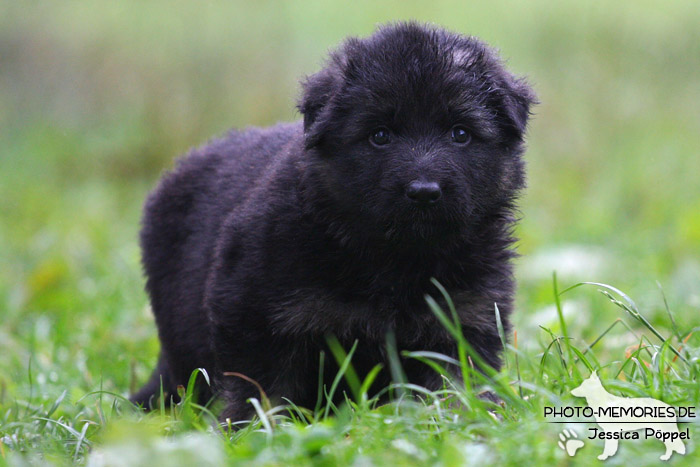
(452, 426)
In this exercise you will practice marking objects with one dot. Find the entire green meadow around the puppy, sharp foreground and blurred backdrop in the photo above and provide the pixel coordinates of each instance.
(95, 101)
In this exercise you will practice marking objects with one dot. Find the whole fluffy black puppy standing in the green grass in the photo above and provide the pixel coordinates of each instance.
(264, 242)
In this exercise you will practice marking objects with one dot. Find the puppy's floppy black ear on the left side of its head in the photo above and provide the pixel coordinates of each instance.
(317, 92)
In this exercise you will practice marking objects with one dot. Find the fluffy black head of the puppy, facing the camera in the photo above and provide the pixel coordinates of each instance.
(416, 131)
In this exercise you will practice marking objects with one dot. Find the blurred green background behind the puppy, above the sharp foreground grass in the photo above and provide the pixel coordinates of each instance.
(98, 98)
